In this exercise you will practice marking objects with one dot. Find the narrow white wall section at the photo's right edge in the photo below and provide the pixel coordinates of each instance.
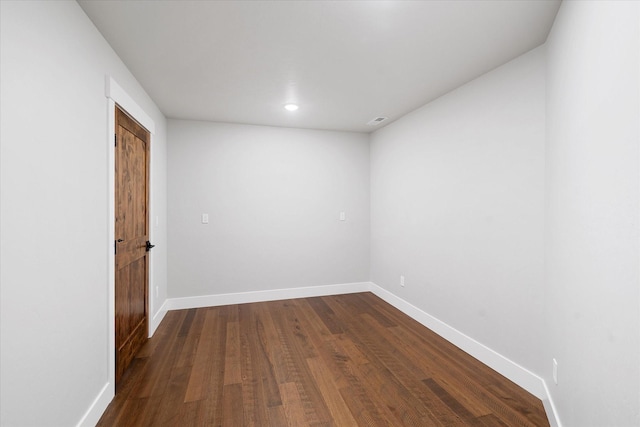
(592, 213)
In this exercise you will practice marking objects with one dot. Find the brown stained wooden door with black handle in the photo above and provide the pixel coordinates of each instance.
(132, 236)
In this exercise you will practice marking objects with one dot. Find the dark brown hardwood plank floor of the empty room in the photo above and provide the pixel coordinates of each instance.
(346, 360)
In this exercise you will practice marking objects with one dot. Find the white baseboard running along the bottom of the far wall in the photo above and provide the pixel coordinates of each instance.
(260, 296)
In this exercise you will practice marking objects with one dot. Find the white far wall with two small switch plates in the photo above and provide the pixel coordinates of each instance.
(274, 197)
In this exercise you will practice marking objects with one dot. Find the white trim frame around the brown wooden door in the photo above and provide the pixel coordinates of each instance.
(116, 95)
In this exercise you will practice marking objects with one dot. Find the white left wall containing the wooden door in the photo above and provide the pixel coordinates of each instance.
(54, 210)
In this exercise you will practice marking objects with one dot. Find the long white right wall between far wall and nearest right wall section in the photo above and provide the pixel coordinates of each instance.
(457, 203)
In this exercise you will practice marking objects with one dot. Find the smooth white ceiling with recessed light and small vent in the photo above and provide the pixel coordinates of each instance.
(343, 62)
